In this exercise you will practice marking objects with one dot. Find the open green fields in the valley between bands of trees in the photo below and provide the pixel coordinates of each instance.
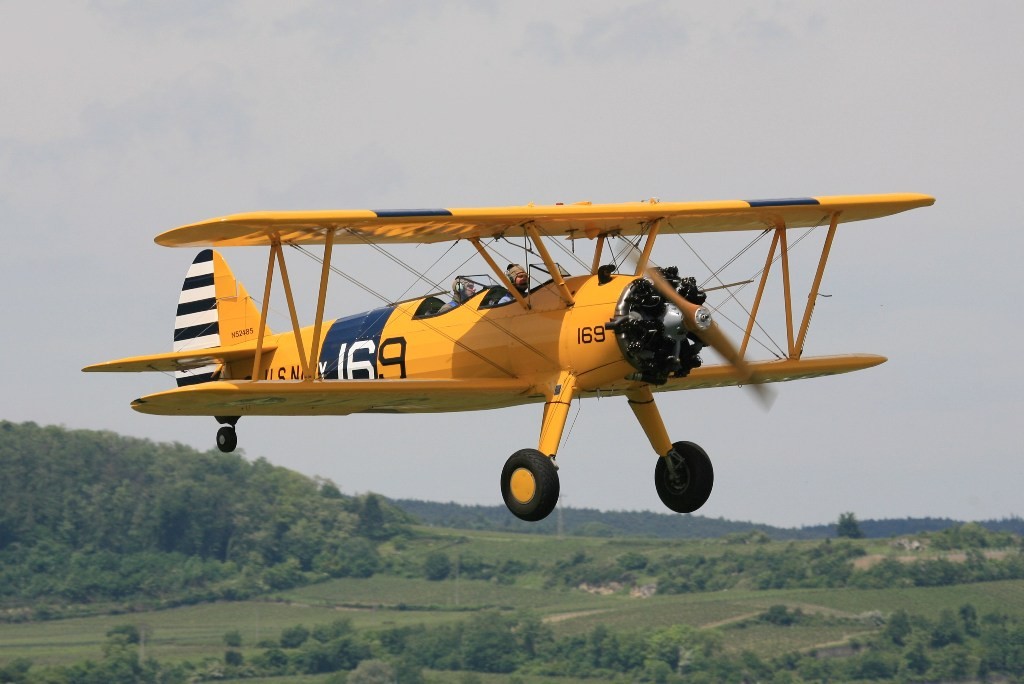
(196, 633)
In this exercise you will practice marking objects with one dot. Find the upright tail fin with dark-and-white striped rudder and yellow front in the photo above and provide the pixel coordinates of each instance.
(215, 311)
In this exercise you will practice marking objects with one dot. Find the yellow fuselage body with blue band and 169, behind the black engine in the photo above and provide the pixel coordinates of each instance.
(473, 340)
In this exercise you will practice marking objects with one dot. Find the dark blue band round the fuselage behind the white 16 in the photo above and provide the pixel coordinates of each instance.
(352, 347)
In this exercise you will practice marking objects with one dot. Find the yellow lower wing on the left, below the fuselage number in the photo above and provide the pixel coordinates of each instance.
(336, 398)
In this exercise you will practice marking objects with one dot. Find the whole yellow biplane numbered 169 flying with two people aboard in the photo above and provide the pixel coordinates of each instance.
(629, 330)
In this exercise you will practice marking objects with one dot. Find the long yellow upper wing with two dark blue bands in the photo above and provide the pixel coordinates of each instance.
(577, 221)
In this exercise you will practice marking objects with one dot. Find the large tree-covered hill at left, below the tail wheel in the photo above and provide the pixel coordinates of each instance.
(88, 516)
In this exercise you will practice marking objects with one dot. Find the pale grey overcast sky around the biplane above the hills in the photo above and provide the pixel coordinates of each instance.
(121, 120)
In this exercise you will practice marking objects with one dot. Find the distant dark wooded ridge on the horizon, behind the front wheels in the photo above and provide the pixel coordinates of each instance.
(591, 523)
